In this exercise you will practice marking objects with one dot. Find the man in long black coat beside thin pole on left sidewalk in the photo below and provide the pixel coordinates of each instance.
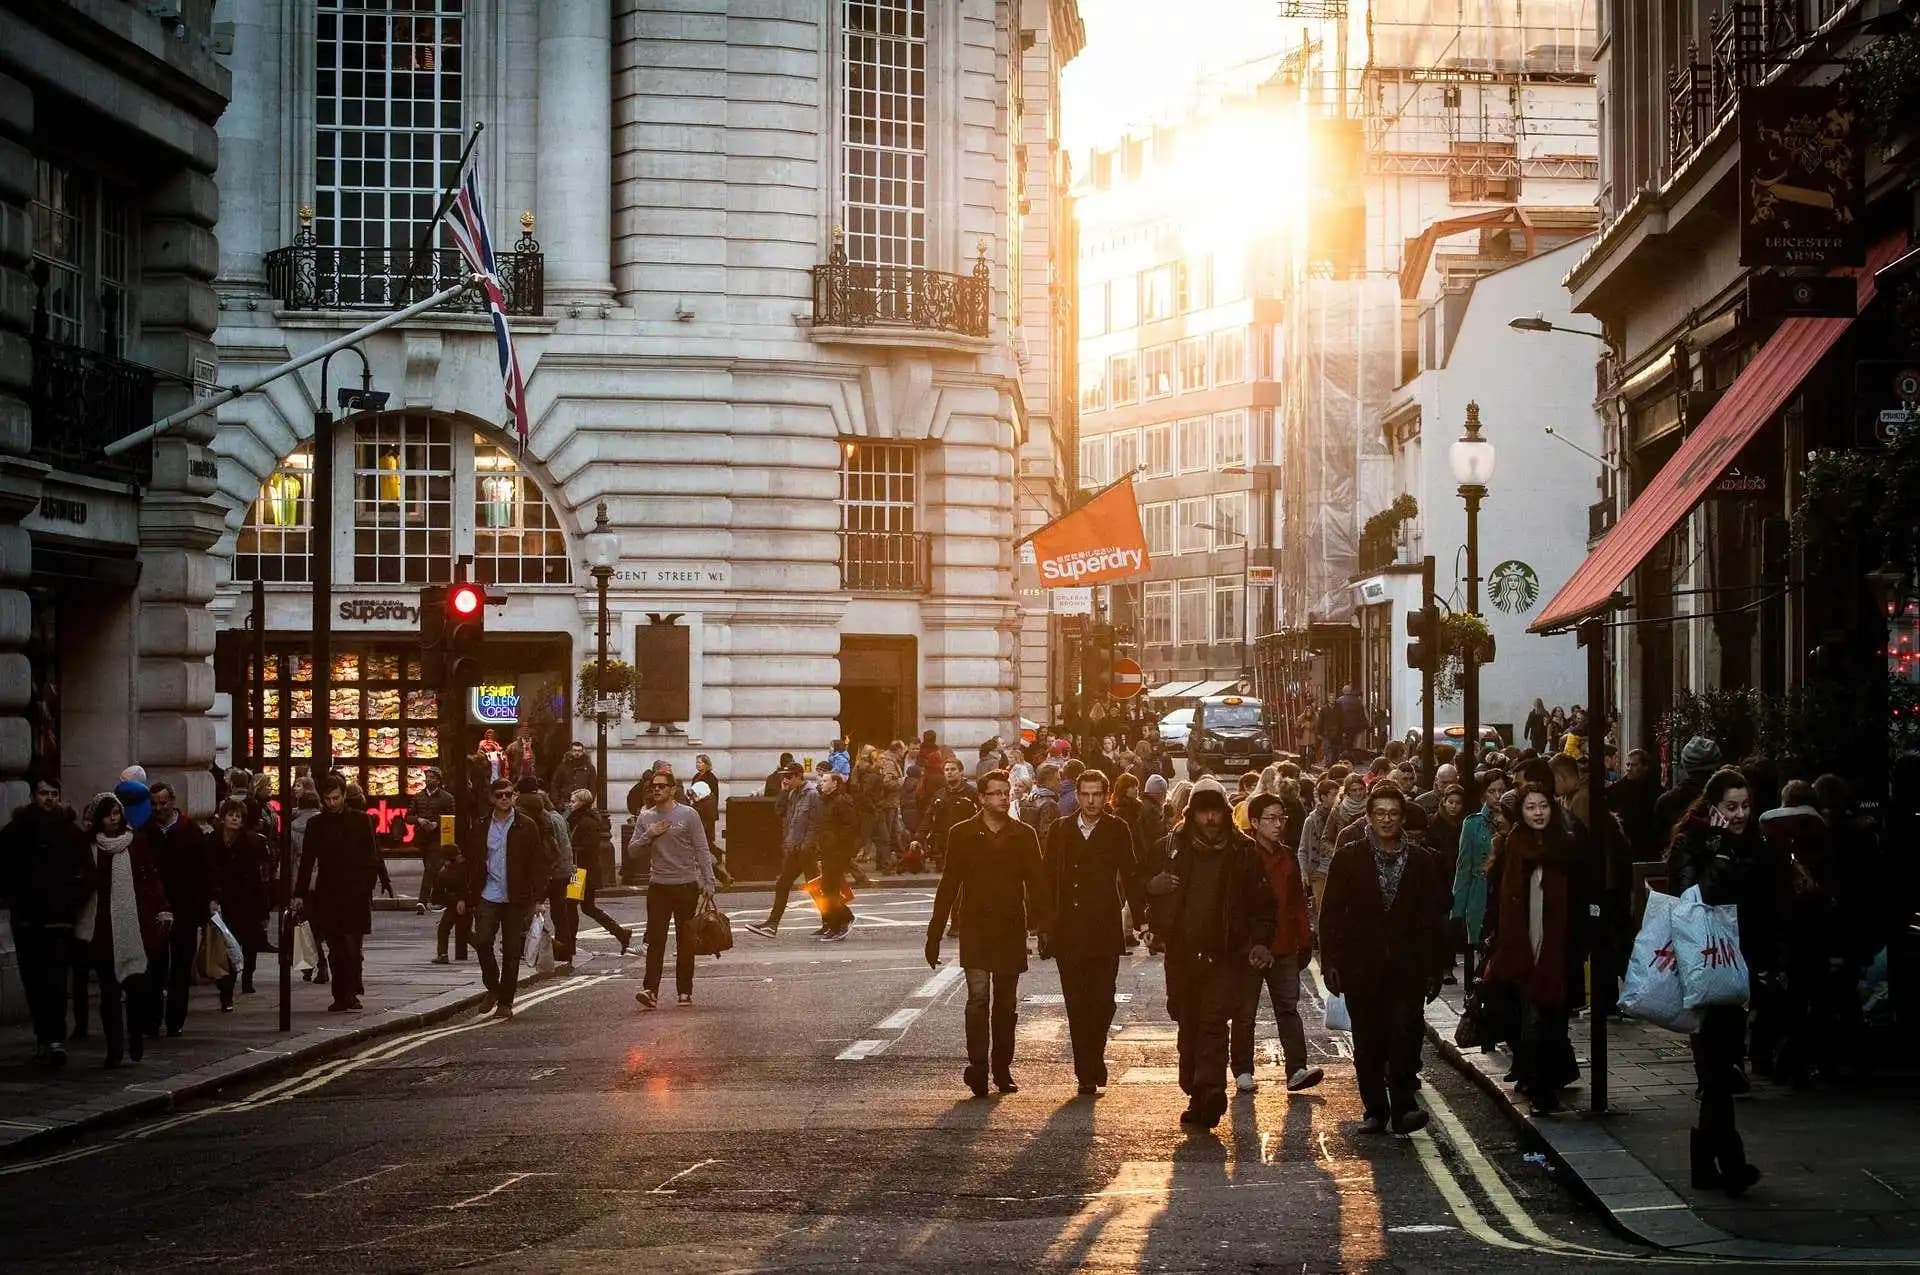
(339, 869)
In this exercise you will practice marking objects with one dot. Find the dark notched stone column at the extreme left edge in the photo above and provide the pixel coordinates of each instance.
(20, 477)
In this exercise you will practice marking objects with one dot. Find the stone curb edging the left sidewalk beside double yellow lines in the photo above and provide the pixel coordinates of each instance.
(302, 1047)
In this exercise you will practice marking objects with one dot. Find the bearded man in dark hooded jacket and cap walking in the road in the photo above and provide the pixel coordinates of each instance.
(1214, 915)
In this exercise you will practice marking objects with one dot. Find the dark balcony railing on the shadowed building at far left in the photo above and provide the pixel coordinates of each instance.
(82, 402)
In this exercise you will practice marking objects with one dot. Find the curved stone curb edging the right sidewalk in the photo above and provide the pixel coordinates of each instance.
(1635, 1201)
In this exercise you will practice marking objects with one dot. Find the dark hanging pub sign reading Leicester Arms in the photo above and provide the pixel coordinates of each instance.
(1802, 178)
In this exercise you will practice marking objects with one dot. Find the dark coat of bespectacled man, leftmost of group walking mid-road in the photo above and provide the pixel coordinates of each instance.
(1001, 894)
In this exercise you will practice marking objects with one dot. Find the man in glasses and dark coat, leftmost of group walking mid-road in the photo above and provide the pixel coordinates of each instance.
(994, 873)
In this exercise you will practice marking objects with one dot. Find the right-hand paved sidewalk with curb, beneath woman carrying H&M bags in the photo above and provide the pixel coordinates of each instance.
(1842, 1167)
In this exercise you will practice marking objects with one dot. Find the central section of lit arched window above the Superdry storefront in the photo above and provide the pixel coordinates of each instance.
(402, 500)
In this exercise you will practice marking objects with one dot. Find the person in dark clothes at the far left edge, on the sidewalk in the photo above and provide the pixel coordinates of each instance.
(45, 878)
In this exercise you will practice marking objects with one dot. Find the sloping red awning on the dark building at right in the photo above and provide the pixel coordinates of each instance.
(1762, 389)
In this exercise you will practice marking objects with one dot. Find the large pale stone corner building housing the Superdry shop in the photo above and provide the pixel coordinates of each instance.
(790, 322)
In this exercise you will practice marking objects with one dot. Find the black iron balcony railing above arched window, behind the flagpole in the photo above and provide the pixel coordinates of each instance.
(310, 276)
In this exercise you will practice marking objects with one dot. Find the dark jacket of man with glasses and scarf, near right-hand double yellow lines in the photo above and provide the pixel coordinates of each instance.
(1378, 951)
